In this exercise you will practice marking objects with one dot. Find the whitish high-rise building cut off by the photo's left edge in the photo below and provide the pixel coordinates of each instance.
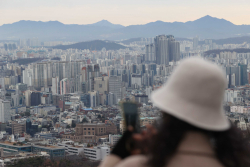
(4, 111)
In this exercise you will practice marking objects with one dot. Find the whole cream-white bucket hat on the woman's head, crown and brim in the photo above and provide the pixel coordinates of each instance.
(194, 93)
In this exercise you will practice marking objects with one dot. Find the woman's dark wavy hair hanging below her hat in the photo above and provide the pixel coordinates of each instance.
(231, 149)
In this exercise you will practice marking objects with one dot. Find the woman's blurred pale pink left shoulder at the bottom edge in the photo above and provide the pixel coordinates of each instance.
(133, 161)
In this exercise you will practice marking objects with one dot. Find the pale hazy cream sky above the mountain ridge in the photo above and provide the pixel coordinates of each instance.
(125, 12)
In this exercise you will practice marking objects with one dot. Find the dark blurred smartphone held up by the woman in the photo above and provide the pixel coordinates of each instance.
(131, 117)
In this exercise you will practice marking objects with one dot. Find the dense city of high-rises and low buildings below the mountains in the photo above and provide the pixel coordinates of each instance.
(60, 100)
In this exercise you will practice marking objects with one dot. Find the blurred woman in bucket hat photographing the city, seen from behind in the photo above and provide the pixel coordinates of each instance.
(194, 131)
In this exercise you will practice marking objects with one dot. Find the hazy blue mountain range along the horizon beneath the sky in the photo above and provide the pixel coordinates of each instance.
(205, 27)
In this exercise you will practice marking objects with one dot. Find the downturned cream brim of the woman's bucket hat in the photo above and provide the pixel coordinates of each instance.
(198, 116)
